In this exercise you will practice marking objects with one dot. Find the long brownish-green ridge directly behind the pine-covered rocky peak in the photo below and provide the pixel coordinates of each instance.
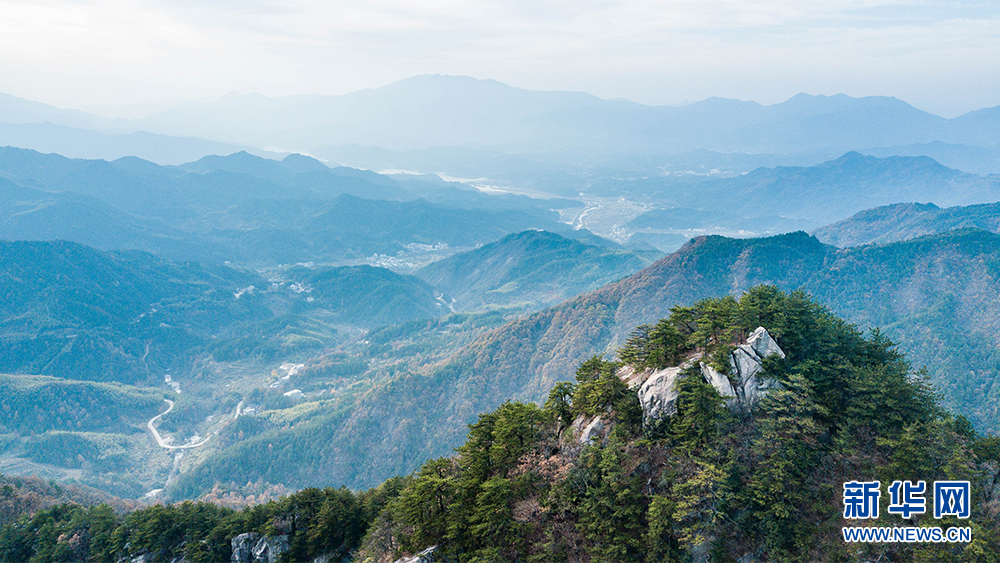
(934, 295)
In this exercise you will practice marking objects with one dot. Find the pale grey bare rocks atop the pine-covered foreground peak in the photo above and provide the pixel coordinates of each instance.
(742, 388)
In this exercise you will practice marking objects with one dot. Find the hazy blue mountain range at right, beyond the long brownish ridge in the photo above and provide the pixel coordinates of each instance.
(788, 198)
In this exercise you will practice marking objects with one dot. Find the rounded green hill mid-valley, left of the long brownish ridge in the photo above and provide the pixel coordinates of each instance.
(532, 268)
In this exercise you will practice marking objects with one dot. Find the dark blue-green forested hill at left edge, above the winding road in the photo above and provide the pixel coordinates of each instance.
(71, 311)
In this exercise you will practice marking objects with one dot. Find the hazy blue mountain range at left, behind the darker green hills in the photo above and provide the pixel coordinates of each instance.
(246, 209)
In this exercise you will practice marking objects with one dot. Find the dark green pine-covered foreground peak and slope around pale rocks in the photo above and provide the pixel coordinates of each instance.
(704, 483)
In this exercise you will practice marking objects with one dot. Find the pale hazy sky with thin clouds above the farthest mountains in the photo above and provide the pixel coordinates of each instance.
(942, 56)
